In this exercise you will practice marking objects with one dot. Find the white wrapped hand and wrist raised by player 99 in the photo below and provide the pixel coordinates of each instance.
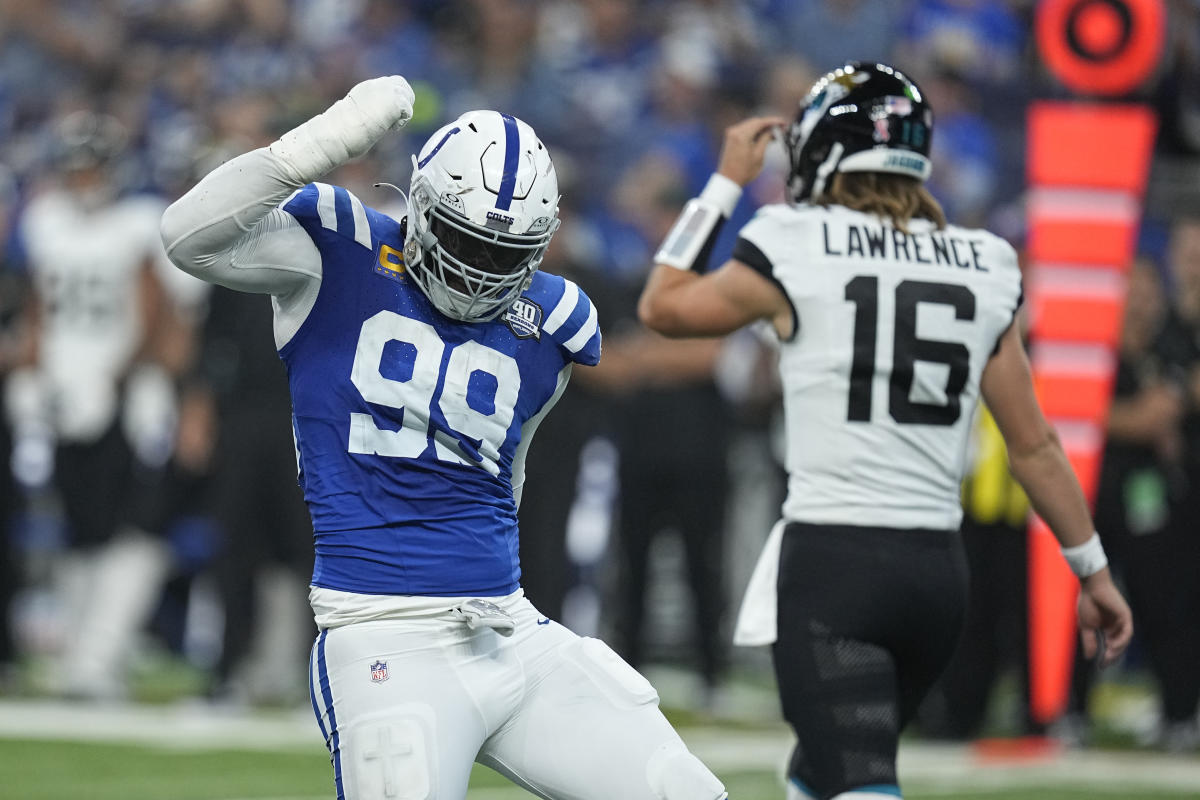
(347, 129)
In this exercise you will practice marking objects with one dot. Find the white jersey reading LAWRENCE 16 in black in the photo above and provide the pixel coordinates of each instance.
(881, 378)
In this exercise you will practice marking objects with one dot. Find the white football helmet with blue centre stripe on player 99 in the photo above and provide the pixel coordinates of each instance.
(482, 209)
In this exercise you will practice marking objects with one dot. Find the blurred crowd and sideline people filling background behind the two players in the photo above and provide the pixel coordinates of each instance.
(148, 482)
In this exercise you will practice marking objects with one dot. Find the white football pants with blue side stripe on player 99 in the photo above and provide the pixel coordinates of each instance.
(407, 706)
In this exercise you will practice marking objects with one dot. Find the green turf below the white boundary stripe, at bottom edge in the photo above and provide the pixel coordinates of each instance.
(58, 771)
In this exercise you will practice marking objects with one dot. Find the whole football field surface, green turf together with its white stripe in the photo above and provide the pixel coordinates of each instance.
(187, 750)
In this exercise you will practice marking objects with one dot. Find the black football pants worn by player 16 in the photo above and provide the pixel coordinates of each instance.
(868, 621)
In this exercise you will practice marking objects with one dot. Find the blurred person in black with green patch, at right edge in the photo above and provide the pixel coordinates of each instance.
(1141, 483)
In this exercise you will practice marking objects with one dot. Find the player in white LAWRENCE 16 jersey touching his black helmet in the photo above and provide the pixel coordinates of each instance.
(892, 326)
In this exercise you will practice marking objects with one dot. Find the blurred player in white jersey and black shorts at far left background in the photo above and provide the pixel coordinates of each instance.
(97, 410)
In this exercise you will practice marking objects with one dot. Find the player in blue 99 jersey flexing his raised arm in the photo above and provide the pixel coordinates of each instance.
(422, 356)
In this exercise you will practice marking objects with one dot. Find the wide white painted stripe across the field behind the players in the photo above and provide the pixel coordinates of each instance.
(934, 767)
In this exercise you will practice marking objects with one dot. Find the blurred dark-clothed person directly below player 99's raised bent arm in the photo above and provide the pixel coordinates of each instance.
(265, 557)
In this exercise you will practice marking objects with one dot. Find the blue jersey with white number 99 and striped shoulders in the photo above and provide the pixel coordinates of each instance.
(409, 424)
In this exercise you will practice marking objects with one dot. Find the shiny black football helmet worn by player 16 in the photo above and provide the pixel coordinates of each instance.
(859, 118)
